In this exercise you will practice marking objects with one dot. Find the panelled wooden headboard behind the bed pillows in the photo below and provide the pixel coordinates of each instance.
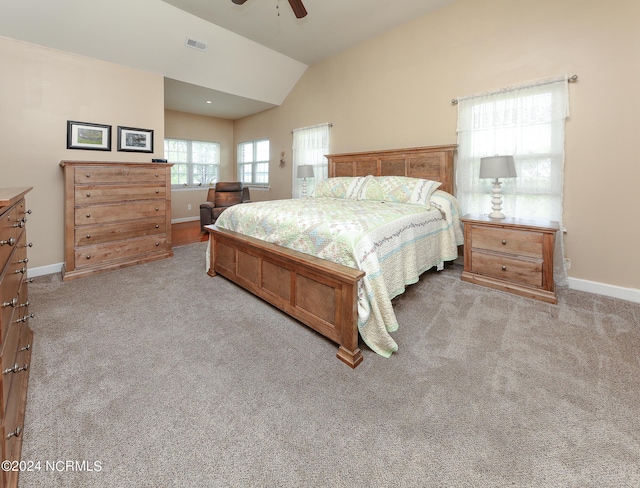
(431, 163)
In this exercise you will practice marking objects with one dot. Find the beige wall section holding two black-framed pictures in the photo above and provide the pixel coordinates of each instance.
(40, 89)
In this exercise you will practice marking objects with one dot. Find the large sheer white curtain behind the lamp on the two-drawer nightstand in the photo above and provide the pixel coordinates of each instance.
(526, 122)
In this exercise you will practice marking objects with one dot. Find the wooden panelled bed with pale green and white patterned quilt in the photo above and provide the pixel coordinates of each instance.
(341, 294)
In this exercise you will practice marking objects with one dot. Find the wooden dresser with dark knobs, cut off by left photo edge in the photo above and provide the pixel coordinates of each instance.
(14, 326)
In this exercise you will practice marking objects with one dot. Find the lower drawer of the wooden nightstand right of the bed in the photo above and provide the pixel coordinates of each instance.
(527, 272)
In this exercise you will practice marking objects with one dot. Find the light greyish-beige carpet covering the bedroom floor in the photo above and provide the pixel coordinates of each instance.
(169, 378)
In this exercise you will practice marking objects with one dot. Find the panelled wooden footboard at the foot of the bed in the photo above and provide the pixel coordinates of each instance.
(321, 294)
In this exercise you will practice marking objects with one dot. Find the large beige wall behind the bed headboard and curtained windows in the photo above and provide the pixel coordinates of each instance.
(396, 89)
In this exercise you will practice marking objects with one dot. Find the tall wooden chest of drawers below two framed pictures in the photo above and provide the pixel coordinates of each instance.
(116, 215)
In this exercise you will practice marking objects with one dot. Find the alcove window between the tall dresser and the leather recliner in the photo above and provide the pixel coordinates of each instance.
(195, 163)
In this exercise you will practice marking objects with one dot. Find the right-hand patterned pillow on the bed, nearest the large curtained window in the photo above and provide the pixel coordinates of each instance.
(399, 189)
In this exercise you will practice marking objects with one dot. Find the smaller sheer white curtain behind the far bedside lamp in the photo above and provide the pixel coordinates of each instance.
(310, 144)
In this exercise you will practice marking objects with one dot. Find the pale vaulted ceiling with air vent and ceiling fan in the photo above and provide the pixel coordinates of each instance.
(254, 53)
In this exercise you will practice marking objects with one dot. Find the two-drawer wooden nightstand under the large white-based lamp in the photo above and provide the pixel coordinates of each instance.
(510, 255)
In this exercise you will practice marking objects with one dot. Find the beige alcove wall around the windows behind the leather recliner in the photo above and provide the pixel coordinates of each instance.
(179, 125)
